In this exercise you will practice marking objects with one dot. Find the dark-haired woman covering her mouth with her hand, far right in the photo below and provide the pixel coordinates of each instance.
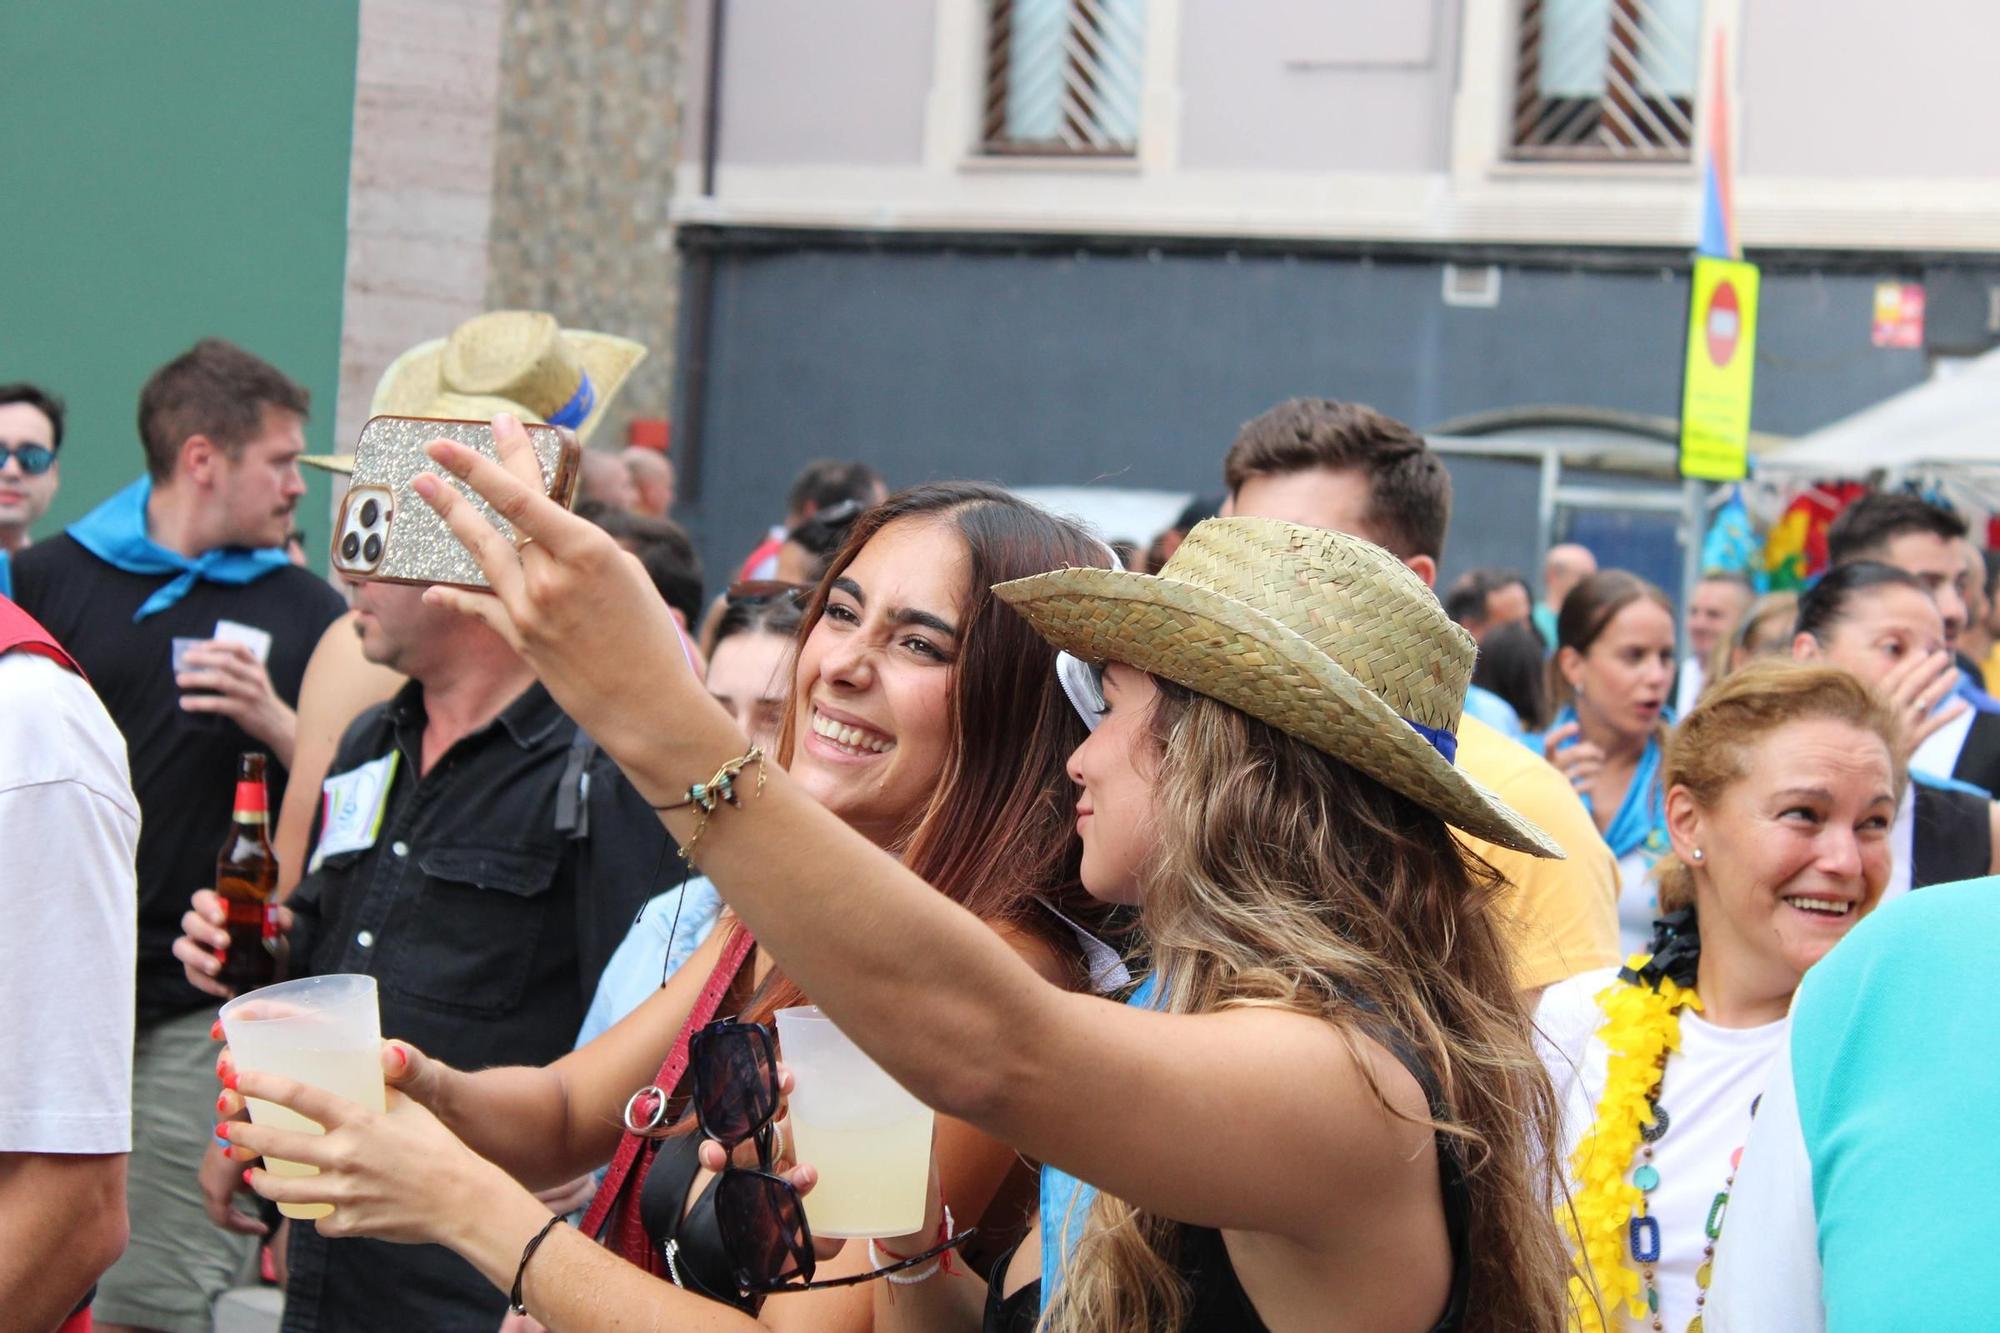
(1881, 625)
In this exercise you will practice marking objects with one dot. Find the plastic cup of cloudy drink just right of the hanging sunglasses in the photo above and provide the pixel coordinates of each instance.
(859, 1128)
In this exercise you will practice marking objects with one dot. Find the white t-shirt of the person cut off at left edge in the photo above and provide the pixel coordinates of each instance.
(71, 902)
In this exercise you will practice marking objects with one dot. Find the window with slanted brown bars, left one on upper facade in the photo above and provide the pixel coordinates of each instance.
(1065, 77)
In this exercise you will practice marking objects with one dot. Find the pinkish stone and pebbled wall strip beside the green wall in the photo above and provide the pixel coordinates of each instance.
(513, 155)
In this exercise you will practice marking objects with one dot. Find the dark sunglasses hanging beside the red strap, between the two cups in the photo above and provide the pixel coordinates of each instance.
(759, 1212)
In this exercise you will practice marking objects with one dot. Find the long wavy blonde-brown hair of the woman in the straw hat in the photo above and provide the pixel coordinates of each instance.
(1289, 880)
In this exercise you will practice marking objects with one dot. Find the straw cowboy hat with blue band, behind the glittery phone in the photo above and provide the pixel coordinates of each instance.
(507, 361)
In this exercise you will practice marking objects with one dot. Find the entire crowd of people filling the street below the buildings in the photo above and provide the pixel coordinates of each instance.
(1279, 944)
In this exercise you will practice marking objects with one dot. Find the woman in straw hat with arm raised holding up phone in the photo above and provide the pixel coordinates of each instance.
(1325, 1112)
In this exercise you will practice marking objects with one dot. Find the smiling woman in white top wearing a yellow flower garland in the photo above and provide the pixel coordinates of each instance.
(1781, 790)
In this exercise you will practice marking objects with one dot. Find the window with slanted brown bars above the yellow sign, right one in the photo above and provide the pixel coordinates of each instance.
(1607, 81)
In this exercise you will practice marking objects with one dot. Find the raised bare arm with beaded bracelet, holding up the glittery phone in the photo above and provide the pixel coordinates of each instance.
(1057, 1074)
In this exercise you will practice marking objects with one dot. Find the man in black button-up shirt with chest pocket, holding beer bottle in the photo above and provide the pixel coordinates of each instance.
(483, 862)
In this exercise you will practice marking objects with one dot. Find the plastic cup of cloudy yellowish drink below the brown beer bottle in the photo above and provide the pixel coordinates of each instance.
(325, 1032)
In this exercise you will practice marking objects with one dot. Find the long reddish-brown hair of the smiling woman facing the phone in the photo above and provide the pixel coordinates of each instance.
(997, 830)
